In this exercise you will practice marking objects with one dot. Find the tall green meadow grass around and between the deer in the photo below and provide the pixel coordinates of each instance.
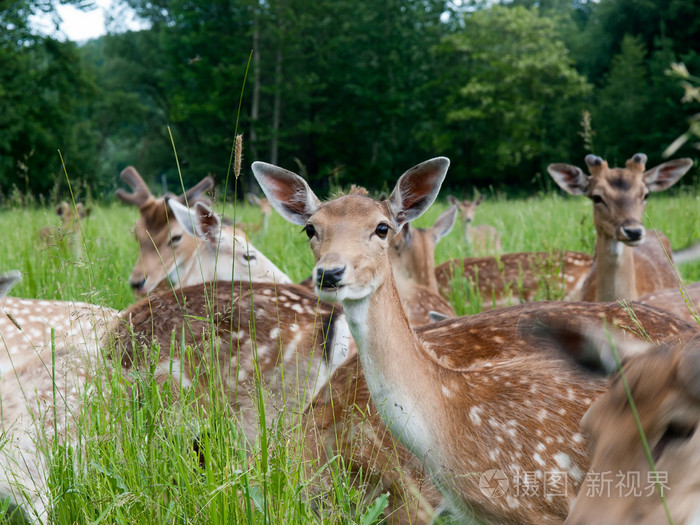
(134, 460)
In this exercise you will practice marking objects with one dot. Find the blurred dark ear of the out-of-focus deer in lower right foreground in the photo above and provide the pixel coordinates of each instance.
(591, 347)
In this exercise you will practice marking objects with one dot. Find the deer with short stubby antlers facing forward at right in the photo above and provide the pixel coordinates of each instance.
(627, 262)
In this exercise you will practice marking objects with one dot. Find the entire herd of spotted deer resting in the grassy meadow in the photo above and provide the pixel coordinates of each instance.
(502, 417)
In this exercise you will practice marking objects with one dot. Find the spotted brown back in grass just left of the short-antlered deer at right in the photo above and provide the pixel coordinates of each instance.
(511, 278)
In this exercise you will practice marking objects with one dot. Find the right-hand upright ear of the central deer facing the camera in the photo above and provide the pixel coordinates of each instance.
(417, 189)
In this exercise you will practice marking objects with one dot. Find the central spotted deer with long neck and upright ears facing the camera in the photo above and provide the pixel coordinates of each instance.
(451, 392)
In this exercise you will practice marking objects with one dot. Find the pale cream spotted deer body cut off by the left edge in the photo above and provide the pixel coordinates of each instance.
(41, 388)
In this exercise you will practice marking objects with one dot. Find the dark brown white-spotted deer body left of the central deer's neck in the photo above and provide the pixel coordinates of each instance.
(248, 332)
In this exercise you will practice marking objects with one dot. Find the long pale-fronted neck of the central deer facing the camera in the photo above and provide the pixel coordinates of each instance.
(398, 373)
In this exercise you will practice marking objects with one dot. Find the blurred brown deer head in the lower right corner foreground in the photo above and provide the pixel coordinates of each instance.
(664, 383)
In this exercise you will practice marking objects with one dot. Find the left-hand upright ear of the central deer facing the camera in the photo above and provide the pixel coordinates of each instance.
(287, 192)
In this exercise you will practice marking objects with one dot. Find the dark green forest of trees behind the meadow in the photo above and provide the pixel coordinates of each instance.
(343, 91)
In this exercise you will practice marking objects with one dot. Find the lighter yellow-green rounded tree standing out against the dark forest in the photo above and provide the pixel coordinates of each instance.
(515, 76)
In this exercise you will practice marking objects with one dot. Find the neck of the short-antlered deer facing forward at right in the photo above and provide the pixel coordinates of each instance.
(615, 277)
